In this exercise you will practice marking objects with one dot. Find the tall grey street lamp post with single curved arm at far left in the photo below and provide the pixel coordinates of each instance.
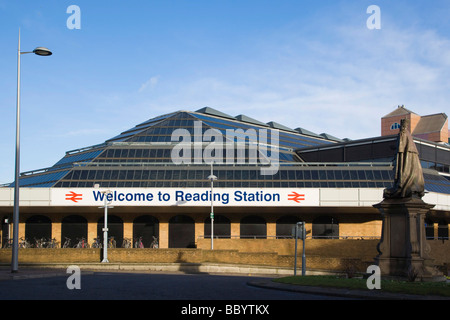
(40, 51)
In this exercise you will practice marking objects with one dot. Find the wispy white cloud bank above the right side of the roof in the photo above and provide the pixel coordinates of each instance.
(342, 87)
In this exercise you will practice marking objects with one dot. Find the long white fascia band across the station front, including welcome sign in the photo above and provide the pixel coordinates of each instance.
(201, 197)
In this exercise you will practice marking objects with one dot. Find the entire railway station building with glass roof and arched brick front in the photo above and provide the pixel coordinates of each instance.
(155, 179)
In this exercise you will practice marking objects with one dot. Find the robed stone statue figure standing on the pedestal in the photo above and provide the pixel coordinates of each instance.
(409, 180)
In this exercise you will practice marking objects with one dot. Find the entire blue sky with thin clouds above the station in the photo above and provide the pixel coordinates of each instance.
(310, 64)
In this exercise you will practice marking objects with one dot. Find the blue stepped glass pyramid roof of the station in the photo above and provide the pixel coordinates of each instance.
(141, 157)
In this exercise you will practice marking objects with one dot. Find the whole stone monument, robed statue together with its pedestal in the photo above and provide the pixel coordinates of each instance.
(403, 250)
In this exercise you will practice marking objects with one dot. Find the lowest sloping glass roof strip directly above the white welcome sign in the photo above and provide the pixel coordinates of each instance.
(169, 175)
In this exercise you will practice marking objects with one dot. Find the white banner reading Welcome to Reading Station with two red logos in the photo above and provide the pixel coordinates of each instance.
(185, 197)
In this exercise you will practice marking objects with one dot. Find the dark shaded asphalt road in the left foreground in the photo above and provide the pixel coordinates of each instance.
(139, 286)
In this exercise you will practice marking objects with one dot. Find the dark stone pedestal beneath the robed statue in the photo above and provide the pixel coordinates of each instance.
(403, 250)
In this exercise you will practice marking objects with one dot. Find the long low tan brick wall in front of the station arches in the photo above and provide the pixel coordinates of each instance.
(337, 255)
